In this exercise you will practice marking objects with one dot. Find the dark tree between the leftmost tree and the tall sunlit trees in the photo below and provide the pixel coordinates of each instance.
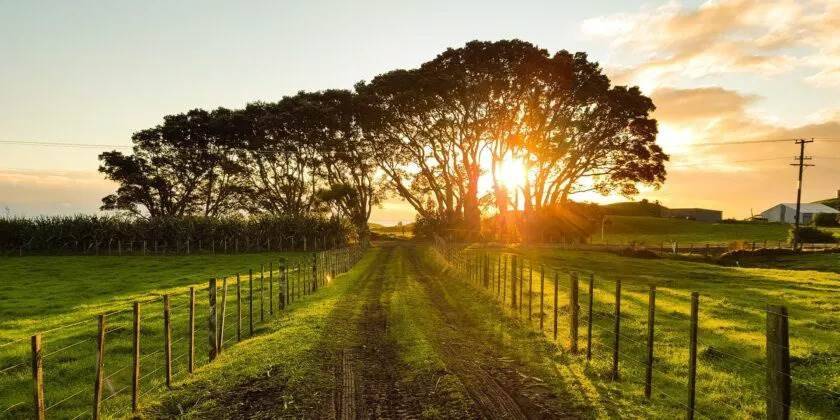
(307, 154)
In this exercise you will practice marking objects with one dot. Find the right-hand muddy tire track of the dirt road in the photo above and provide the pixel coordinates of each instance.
(499, 391)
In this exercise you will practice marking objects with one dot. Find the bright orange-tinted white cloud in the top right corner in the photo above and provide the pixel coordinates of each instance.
(674, 42)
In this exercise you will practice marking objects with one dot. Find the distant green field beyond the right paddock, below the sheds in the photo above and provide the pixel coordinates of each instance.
(654, 230)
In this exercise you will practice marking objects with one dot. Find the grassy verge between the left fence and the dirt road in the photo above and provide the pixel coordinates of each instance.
(283, 368)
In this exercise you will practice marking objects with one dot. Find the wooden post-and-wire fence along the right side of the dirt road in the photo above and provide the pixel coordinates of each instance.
(663, 354)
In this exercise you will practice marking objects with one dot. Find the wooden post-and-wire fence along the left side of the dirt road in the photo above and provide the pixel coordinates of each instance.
(111, 365)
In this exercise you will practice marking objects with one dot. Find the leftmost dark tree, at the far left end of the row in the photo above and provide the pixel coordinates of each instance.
(184, 166)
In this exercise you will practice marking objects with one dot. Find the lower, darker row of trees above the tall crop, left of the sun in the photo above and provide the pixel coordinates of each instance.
(303, 156)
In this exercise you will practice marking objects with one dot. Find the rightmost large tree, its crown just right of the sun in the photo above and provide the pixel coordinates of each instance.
(576, 133)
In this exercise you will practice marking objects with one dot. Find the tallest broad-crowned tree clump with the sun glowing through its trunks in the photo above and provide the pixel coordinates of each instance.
(558, 114)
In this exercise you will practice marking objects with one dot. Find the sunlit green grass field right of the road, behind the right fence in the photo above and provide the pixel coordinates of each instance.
(731, 332)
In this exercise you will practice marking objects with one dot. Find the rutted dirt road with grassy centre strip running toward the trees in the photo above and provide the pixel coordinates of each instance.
(401, 343)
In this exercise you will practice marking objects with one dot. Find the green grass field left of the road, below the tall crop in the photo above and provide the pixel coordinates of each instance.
(61, 296)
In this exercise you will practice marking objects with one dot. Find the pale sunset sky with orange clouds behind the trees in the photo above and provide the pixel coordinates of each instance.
(718, 71)
